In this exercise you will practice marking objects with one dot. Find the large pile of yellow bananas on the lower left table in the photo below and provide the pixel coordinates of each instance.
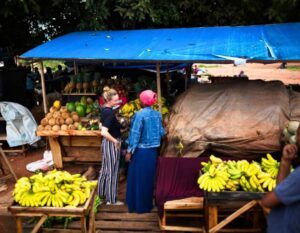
(56, 188)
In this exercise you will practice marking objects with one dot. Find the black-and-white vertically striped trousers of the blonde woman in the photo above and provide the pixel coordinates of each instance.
(109, 173)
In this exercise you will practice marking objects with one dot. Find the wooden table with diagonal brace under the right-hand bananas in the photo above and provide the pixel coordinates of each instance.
(240, 201)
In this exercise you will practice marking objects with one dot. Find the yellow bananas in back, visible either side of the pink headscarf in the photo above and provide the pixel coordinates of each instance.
(130, 108)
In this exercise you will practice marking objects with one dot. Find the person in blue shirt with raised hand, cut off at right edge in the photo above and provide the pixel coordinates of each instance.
(284, 200)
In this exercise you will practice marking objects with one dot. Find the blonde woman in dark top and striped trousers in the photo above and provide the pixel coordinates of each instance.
(111, 143)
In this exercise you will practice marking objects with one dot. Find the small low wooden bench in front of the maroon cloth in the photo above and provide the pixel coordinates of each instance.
(187, 207)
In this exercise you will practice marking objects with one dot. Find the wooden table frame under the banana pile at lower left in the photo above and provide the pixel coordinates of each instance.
(44, 212)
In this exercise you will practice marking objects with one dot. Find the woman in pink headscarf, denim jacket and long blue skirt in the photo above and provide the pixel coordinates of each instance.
(144, 139)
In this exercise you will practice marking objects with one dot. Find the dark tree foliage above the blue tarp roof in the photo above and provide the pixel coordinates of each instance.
(27, 23)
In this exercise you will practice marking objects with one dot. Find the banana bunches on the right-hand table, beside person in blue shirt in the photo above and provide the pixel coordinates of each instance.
(219, 175)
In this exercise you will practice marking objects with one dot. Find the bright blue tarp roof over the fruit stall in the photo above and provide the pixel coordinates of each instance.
(274, 42)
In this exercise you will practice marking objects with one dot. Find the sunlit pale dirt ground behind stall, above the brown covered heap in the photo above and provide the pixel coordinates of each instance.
(266, 72)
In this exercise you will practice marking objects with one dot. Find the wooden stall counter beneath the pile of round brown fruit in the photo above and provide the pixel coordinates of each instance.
(74, 145)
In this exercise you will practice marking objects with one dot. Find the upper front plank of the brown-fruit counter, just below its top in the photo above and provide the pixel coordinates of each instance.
(84, 141)
